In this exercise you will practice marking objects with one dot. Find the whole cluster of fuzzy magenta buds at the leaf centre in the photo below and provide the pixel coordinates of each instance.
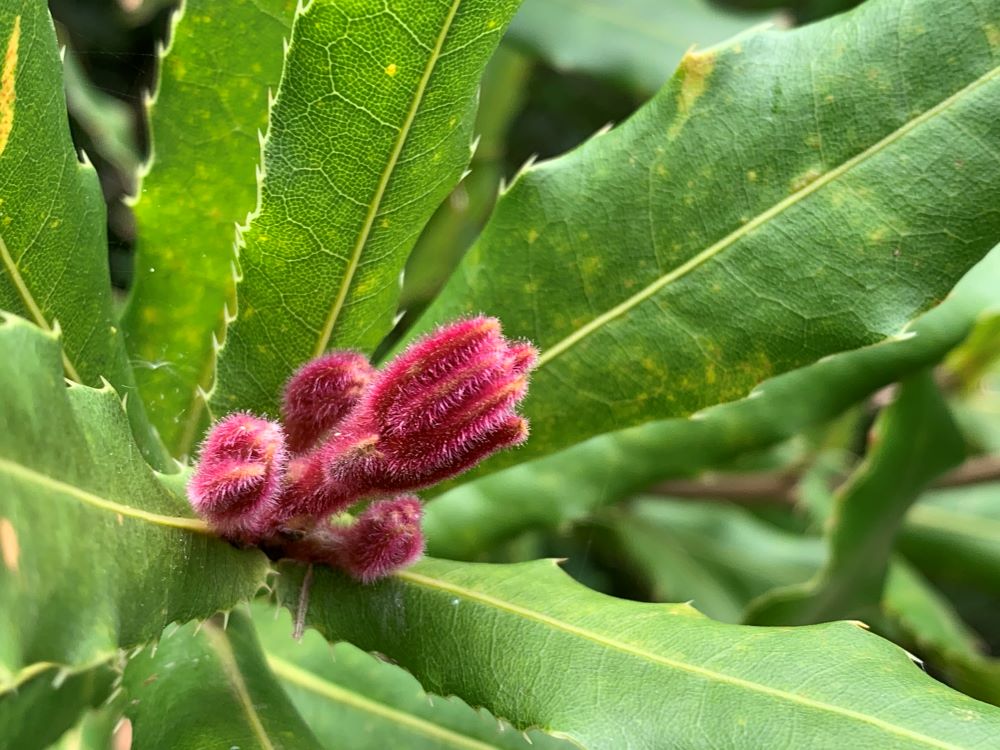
(352, 434)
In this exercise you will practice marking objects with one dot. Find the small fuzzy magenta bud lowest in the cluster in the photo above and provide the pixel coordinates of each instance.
(385, 538)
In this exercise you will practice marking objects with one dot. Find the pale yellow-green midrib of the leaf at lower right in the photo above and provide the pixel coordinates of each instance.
(641, 653)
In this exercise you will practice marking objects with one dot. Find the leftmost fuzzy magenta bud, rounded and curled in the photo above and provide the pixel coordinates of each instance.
(238, 480)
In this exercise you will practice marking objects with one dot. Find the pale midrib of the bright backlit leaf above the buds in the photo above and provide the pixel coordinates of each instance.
(383, 184)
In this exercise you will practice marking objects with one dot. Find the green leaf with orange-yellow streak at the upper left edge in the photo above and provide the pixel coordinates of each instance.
(53, 241)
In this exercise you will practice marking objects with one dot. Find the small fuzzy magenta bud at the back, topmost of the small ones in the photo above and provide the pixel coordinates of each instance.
(321, 394)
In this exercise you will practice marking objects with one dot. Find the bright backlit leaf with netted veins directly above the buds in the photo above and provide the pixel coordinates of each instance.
(369, 133)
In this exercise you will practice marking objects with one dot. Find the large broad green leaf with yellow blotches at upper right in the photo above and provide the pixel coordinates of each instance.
(763, 211)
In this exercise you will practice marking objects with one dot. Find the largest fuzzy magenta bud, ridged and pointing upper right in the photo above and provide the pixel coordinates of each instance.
(438, 409)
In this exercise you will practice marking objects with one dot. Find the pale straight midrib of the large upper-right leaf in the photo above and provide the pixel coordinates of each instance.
(731, 239)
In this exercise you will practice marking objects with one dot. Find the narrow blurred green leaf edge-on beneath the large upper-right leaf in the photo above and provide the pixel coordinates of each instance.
(568, 485)
